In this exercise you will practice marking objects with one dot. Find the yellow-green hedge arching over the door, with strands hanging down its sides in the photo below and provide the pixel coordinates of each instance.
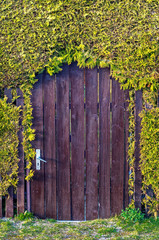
(122, 34)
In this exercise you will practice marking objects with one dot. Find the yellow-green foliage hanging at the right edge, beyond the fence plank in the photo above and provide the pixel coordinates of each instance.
(150, 157)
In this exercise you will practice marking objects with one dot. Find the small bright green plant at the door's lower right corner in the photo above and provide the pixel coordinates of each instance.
(132, 215)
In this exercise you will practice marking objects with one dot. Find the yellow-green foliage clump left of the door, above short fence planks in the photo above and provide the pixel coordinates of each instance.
(9, 126)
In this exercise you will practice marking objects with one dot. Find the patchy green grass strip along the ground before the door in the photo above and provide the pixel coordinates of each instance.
(114, 228)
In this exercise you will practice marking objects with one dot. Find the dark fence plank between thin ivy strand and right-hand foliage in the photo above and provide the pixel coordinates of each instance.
(138, 177)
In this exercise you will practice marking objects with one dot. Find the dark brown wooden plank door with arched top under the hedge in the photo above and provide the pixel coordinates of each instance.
(80, 120)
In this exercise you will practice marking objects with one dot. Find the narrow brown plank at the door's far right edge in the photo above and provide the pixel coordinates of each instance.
(126, 165)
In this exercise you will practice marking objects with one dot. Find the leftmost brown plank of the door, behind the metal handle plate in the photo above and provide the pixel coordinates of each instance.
(37, 184)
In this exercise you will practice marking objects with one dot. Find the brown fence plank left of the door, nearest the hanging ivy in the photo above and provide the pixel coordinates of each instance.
(21, 176)
